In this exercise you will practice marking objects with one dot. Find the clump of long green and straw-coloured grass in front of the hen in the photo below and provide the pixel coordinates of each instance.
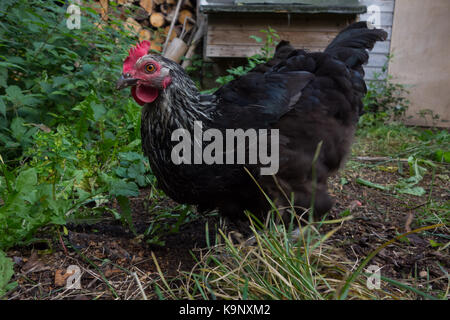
(276, 267)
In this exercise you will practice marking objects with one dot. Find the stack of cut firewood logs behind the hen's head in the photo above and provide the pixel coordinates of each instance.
(151, 19)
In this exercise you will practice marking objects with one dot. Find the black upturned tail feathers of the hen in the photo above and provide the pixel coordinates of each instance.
(350, 44)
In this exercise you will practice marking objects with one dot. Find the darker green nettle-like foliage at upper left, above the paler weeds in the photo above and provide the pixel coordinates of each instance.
(46, 69)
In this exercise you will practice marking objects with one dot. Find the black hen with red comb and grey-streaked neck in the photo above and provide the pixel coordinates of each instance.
(309, 97)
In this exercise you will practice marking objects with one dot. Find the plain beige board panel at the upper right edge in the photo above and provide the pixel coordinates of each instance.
(421, 48)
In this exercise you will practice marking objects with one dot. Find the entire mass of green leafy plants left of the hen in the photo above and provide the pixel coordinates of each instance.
(67, 137)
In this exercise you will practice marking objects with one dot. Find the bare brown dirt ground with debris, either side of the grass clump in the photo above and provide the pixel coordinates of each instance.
(109, 254)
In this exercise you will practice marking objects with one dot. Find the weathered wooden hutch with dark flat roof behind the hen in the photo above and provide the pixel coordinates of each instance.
(308, 24)
